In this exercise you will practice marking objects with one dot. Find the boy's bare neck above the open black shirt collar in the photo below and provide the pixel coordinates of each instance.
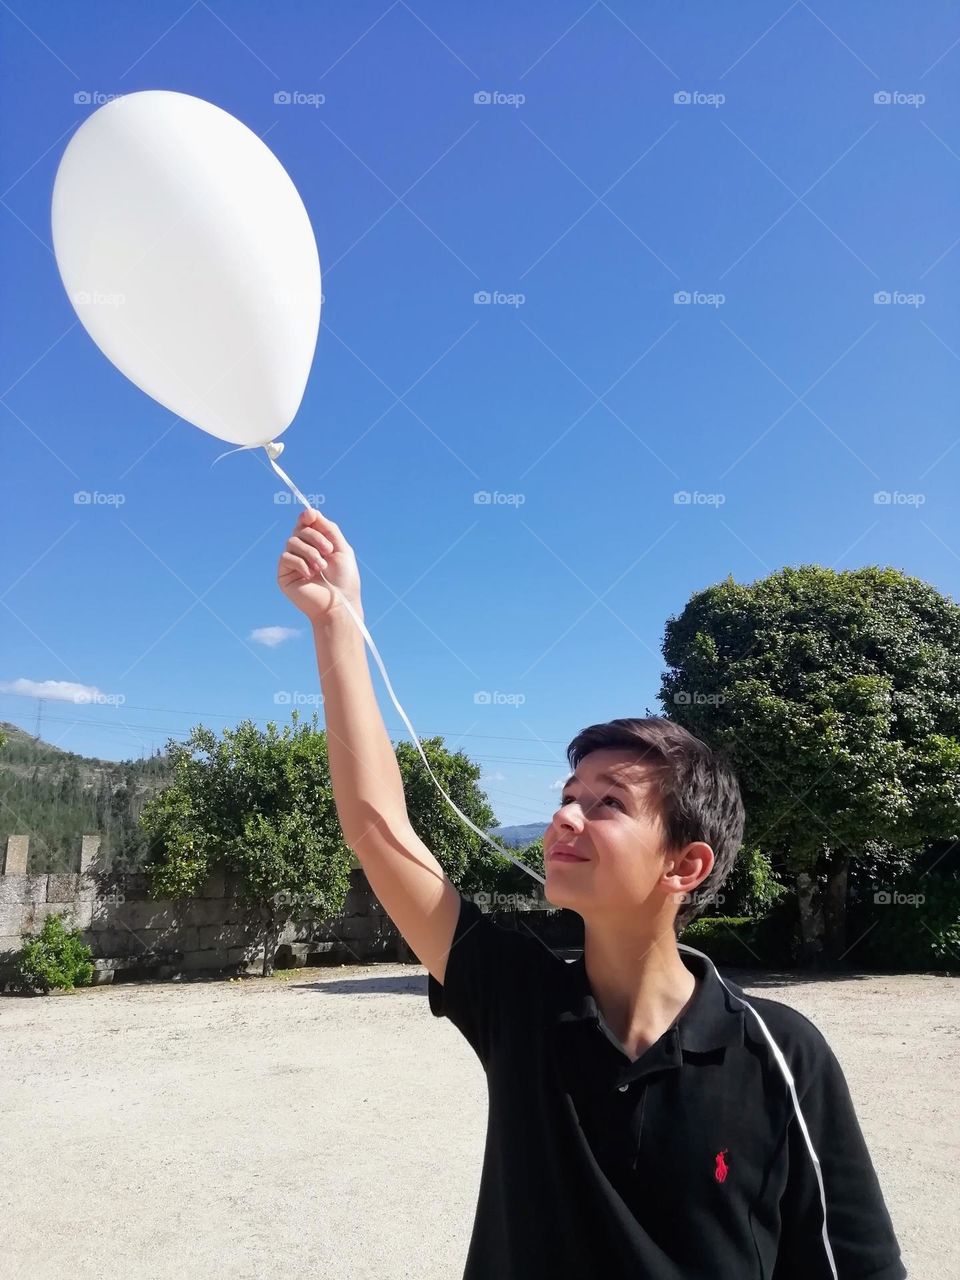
(641, 985)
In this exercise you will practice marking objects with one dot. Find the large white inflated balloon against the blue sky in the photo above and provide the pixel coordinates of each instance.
(190, 259)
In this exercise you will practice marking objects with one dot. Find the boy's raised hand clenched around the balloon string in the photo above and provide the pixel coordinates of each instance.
(318, 545)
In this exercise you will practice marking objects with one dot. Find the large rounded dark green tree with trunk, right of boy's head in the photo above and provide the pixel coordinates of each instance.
(838, 698)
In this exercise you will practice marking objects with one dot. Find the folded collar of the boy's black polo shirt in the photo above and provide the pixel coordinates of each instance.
(714, 1020)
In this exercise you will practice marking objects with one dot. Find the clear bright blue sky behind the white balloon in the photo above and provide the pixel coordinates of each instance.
(781, 198)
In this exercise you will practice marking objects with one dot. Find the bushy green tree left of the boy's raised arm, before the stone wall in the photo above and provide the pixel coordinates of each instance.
(258, 806)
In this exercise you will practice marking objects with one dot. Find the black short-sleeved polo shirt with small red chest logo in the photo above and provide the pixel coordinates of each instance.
(685, 1165)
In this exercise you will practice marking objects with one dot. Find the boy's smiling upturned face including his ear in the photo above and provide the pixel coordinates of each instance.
(627, 870)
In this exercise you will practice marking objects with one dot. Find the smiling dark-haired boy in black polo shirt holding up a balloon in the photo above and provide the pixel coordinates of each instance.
(639, 1123)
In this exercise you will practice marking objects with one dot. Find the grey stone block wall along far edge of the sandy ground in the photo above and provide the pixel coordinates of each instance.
(134, 936)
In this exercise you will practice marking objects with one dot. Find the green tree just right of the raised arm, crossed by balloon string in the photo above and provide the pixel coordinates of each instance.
(468, 861)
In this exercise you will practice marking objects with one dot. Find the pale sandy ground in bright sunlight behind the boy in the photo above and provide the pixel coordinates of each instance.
(326, 1124)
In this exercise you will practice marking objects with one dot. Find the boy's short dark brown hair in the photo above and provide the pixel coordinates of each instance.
(693, 789)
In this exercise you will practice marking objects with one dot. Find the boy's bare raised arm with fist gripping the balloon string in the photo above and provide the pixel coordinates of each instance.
(368, 789)
